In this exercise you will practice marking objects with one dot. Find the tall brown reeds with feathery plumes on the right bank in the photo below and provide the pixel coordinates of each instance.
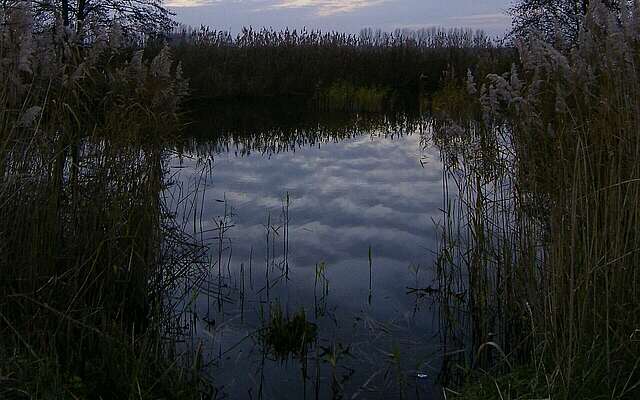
(538, 265)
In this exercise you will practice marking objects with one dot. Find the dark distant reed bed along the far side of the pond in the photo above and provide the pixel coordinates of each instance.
(258, 63)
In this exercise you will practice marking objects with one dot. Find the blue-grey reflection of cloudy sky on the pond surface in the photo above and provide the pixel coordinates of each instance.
(381, 191)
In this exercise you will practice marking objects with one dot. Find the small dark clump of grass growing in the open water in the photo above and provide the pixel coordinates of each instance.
(286, 335)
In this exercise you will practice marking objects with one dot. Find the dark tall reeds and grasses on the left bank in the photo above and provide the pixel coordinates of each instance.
(87, 249)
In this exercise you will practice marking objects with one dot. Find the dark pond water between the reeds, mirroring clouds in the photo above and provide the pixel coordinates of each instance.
(296, 193)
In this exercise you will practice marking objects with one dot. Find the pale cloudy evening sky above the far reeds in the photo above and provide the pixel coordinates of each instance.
(344, 15)
